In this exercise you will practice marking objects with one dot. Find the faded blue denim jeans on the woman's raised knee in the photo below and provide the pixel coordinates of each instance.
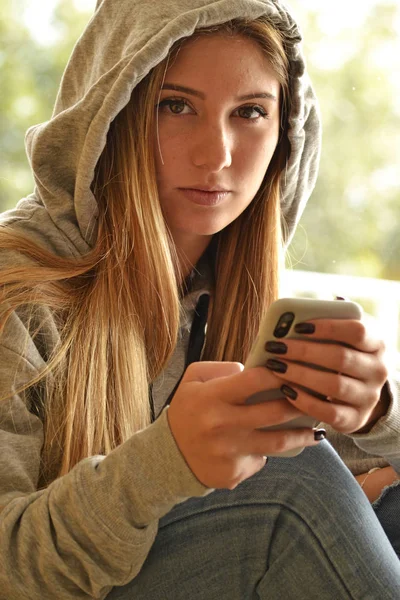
(301, 528)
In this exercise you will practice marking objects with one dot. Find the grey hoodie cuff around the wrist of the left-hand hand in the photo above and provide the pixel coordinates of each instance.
(138, 482)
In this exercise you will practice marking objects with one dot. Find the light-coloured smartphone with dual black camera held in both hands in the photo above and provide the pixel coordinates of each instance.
(279, 324)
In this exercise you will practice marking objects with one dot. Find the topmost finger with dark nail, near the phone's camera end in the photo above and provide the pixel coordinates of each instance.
(354, 333)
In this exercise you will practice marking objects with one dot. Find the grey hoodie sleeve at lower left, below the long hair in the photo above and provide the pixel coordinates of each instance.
(91, 529)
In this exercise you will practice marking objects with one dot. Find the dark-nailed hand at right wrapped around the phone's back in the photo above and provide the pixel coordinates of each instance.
(350, 394)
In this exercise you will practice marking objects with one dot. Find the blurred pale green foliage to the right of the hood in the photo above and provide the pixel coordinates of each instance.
(351, 223)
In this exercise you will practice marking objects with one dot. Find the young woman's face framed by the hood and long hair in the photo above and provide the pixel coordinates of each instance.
(218, 133)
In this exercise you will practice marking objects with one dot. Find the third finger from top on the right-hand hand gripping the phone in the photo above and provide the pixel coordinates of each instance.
(334, 385)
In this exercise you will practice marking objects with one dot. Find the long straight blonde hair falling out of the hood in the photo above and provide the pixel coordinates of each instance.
(116, 309)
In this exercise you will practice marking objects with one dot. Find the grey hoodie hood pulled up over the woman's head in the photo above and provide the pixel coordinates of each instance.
(122, 42)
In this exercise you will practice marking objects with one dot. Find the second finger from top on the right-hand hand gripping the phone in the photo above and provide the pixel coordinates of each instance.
(338, 358)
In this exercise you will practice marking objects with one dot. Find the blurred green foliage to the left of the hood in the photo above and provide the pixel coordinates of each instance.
(30, 75)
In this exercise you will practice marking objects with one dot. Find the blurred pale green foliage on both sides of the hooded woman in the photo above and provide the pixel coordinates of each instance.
(351, 224)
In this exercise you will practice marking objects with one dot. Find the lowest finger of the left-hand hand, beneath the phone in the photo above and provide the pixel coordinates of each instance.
(276, 442)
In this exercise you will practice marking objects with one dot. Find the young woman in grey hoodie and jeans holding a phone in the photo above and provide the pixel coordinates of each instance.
(183, 146)
